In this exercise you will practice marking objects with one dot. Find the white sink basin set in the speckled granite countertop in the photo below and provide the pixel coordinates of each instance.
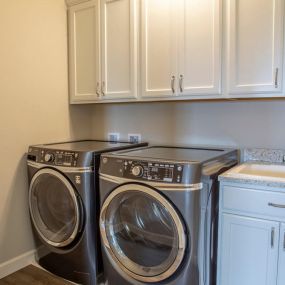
(264, 170)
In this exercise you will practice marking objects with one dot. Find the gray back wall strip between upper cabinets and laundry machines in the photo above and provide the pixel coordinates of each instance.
(242, 124)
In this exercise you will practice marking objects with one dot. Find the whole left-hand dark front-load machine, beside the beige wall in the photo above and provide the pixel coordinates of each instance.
(64, 206)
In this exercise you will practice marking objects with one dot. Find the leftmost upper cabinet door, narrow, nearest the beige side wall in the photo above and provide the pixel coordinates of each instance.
(84, 52)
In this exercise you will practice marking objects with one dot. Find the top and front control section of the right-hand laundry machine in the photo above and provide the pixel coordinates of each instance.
(167, 164)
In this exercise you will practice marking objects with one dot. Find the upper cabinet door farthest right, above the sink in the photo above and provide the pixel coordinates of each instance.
(255, 36)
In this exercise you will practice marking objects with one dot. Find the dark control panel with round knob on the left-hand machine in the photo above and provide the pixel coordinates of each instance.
(54, 157)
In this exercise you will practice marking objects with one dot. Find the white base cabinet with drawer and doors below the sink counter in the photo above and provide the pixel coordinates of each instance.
(251, 236)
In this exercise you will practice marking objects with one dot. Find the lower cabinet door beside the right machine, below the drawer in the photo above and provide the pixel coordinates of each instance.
(248, 251)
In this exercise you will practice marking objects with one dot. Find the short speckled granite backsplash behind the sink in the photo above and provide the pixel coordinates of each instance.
(263, 154)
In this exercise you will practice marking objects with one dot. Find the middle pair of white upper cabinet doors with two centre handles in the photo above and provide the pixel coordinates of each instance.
(180, 47)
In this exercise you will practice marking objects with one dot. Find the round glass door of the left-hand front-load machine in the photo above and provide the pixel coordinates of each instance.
(55, 208)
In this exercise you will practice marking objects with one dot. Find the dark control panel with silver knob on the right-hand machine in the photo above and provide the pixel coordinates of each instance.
(153, 171)
